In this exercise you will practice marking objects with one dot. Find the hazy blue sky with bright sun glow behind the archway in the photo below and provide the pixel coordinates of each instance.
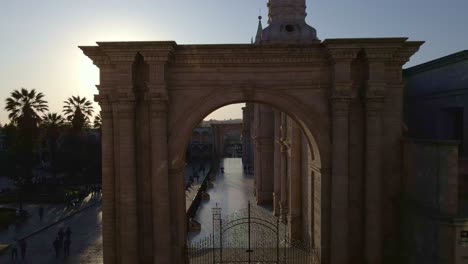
(39, 38)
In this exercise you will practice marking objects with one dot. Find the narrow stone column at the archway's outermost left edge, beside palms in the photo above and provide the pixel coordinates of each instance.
(108, 182)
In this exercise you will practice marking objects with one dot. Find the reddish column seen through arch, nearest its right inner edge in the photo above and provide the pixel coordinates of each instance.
(295, 183)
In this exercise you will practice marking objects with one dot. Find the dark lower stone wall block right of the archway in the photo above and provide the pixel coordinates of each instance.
(429, 203)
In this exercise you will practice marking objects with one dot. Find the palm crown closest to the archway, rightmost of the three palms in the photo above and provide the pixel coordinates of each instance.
(78, 110)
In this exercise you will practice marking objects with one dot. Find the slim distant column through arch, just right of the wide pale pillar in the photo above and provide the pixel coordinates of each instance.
(277, 165)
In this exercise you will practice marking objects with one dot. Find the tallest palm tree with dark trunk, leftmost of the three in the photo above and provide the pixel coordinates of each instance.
(24, 107)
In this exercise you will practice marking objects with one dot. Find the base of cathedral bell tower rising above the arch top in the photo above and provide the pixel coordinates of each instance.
(287, 25)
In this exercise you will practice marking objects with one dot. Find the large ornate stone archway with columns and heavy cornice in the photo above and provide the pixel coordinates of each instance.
(344, 93)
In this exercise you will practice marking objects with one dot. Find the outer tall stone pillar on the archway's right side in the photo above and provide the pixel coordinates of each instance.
(373, 179)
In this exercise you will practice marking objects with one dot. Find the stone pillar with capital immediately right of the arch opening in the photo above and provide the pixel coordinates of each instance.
(342, 58)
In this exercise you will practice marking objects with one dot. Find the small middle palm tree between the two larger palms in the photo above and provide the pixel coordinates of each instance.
(52, 123)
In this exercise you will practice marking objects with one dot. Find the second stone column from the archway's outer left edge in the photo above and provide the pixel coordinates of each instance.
(129, 243)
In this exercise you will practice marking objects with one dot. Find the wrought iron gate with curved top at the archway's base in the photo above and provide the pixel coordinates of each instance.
(249, 236)
